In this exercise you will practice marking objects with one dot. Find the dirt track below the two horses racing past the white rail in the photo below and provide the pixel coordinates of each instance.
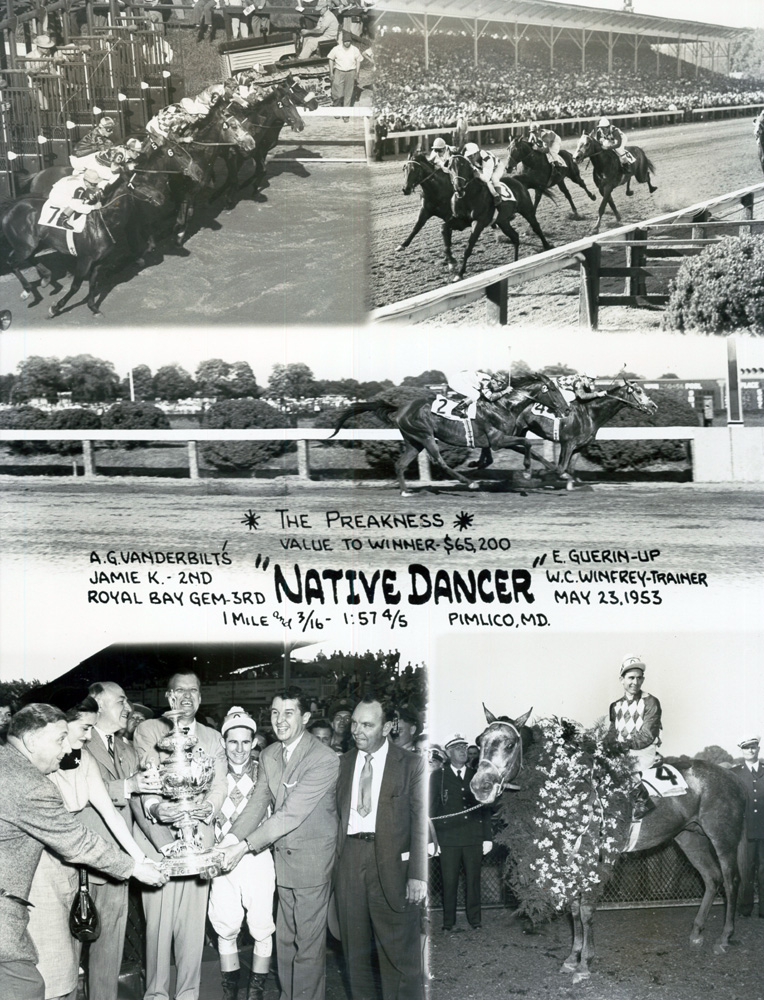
(58, 520)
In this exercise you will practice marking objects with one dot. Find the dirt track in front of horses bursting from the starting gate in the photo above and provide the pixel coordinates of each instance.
(294, 255)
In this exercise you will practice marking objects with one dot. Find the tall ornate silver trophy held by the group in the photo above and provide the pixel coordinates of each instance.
(185, 776)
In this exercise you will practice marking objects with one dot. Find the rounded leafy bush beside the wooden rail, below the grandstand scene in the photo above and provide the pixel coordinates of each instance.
(720, 289)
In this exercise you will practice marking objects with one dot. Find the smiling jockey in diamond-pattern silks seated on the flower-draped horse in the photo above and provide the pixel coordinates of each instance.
(635, 723)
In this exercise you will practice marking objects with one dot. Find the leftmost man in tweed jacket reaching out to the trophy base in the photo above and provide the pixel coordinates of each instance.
(33, 816)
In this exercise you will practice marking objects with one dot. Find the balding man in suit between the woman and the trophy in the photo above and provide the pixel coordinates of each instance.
(118, 764)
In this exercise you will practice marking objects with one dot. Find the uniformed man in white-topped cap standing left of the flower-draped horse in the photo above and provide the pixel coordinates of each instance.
(463, 839)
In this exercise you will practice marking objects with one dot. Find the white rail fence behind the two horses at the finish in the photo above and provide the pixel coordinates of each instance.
(718, 454)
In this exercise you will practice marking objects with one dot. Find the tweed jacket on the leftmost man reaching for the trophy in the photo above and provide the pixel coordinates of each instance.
(33, 816)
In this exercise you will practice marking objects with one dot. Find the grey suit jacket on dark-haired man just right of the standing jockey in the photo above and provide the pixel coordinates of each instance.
(303, 826)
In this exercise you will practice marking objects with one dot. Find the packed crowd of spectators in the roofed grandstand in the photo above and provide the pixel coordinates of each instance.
(410, 96)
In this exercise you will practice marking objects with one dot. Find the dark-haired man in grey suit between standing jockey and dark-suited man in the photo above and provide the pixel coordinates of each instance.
(298, 778)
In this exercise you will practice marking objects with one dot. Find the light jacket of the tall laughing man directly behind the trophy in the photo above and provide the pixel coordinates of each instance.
(152, 836)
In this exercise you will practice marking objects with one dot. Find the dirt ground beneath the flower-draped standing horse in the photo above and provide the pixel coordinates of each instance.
(641, 955)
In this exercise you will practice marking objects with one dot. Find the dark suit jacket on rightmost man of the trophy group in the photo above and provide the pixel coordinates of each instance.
(401, 820)
